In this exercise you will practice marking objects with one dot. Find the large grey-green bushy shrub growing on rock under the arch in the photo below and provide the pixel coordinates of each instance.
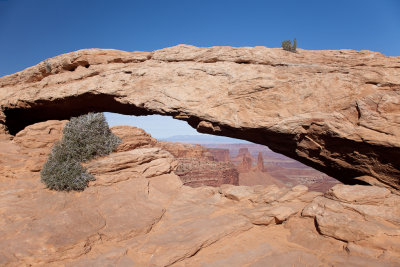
(84, 138)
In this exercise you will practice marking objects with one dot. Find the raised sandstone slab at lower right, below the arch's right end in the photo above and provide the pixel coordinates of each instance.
(362, 216)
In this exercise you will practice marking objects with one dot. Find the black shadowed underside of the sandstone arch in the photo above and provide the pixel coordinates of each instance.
(18, 117)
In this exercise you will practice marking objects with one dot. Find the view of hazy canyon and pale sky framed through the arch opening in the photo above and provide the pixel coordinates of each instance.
(214, 160)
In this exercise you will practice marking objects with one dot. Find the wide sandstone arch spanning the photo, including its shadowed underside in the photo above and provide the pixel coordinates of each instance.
(337, 111)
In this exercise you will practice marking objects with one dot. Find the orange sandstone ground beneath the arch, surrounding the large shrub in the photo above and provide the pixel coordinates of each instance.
(138, 213)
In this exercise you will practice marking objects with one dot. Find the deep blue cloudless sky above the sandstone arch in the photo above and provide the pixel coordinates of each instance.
(33, 30)
